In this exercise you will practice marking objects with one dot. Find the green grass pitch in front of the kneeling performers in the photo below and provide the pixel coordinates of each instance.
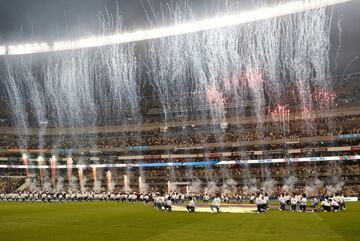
(117, 221)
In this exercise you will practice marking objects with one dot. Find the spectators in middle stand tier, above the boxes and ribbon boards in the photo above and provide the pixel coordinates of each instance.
(194, 135)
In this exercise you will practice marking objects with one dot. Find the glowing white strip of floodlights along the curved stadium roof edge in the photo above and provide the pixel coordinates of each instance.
(178, 29)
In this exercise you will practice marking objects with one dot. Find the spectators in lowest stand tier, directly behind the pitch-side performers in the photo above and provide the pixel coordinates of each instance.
(321, 176)
